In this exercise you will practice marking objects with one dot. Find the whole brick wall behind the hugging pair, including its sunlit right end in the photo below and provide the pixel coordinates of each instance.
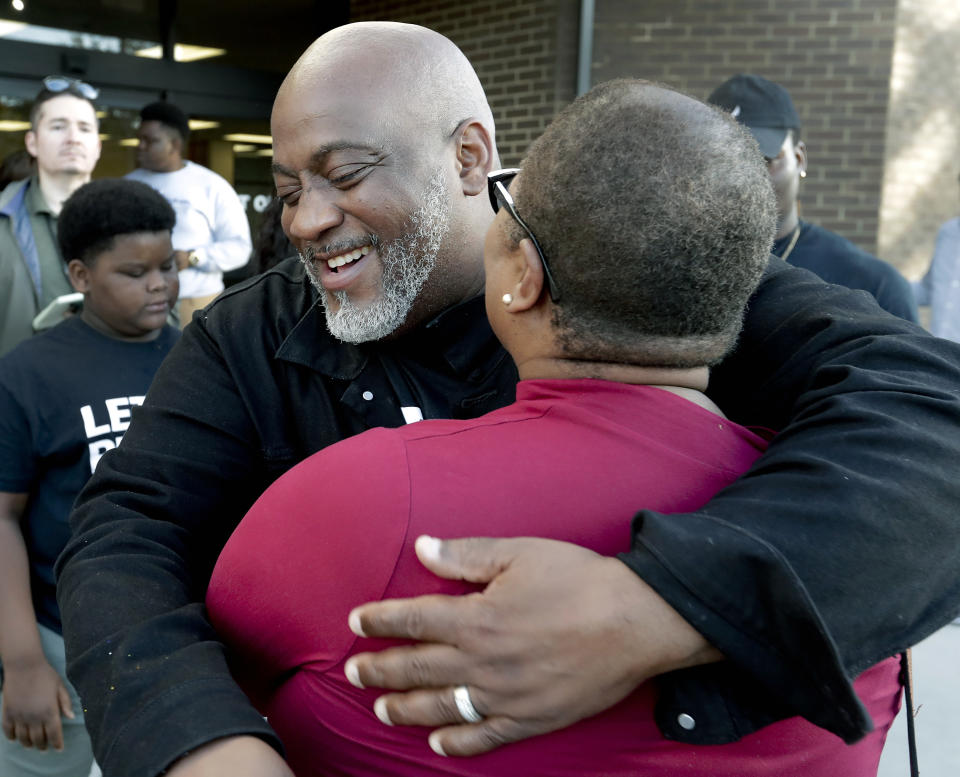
(874, 81)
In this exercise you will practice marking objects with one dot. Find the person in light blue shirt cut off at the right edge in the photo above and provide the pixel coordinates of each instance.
(940, 285)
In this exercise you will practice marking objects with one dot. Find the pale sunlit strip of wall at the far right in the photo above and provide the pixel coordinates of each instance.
(920, 188)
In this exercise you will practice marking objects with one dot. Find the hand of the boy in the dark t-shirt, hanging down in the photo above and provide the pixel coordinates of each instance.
(34, 697)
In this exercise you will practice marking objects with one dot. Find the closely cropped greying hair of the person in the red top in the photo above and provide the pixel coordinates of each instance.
(656, 214)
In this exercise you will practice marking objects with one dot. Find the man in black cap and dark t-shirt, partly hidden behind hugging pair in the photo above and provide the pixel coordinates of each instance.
(766, 109)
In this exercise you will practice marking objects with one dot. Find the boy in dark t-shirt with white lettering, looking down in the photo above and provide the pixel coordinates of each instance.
(66, 396)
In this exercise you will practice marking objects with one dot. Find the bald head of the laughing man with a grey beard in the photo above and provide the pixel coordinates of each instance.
(382, 139)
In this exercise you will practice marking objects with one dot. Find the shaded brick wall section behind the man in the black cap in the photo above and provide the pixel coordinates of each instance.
(834, 56)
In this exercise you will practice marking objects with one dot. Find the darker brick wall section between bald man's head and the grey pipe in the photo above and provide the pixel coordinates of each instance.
(524, 52)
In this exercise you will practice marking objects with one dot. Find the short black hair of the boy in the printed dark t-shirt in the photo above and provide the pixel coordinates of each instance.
(99, 211)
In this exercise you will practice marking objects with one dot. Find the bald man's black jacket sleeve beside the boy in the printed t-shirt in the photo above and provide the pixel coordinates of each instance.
(147, 530)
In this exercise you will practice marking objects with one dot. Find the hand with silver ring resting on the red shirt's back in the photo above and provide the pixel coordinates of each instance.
(559, 634)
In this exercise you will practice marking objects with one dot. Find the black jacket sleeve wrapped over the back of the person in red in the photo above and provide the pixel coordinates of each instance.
(840, 547)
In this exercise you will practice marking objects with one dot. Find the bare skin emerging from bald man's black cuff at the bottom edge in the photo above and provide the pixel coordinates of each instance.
(241, 756)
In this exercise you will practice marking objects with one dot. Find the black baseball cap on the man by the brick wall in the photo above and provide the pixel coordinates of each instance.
(764, 107)
